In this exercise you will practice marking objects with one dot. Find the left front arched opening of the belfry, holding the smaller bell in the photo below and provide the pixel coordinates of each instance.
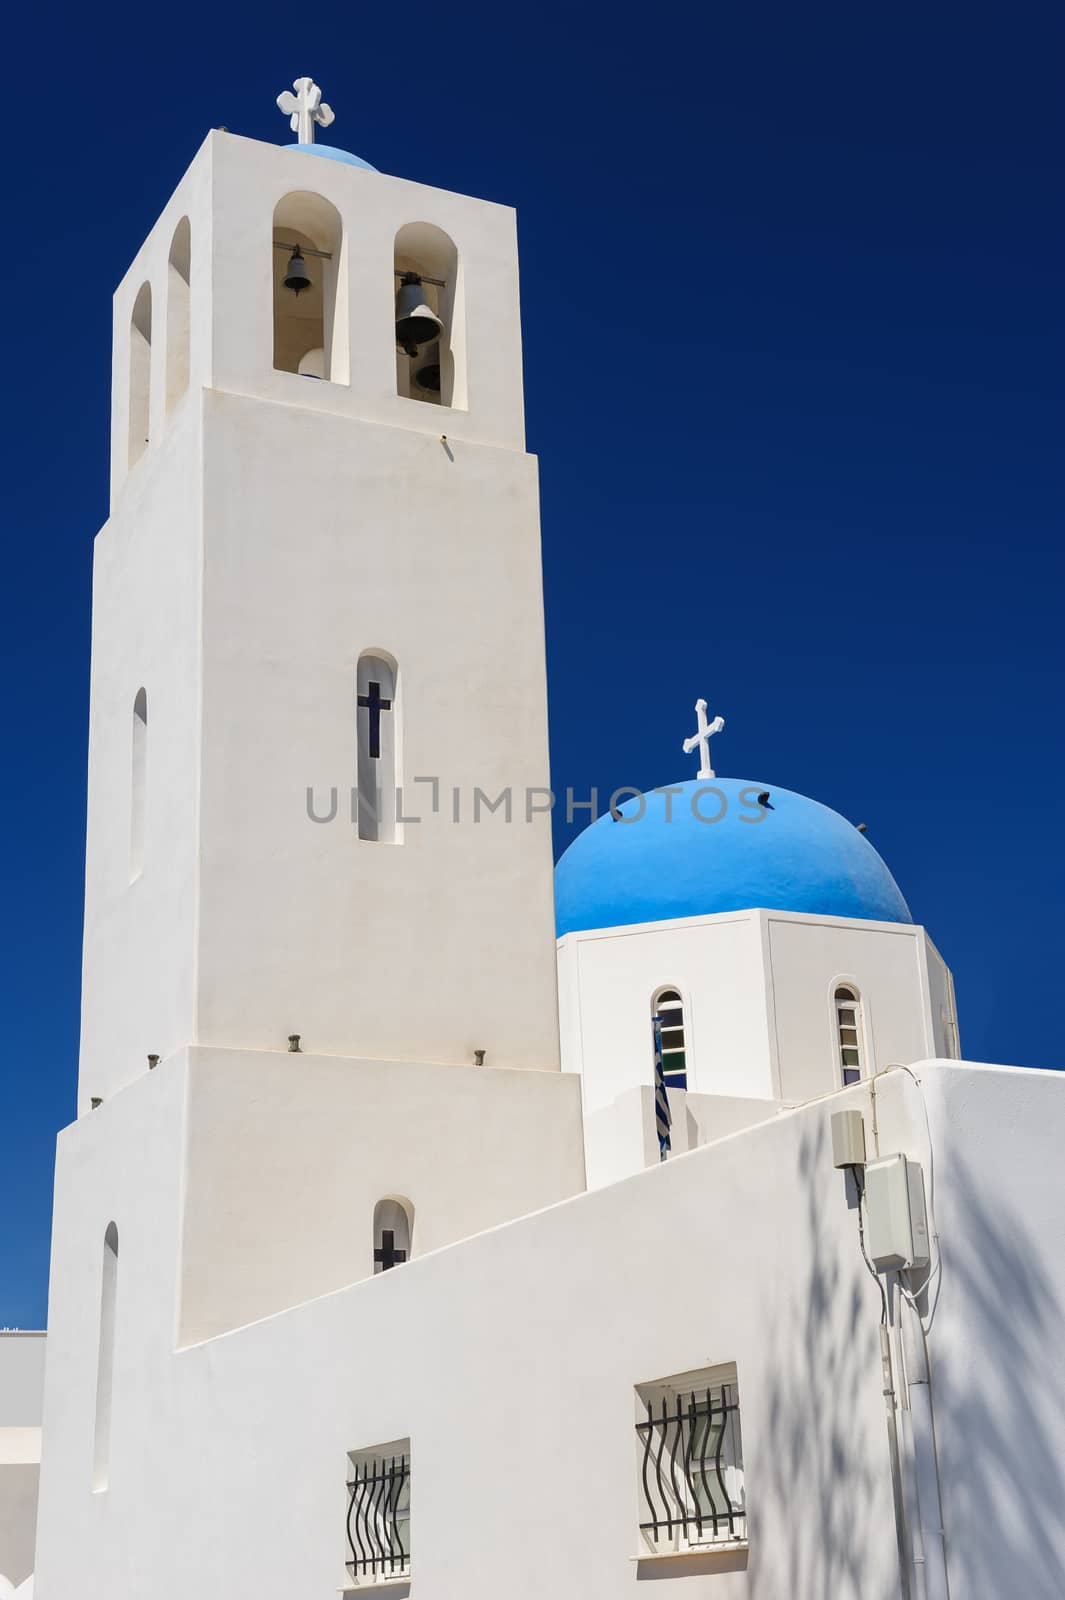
(311, 308)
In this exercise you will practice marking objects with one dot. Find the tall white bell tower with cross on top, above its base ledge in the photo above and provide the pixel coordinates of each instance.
(319, 782)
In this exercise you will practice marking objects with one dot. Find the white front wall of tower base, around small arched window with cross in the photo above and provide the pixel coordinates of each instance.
(287, 1158)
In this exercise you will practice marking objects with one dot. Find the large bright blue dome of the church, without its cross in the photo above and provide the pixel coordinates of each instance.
(796, 857)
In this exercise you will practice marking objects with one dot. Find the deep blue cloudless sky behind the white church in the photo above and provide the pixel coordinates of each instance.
(794, 351)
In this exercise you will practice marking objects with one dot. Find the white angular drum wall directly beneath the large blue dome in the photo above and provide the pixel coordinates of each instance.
(759, 1002)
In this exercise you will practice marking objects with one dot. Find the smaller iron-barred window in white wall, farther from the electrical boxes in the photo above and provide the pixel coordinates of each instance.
(380, 1513)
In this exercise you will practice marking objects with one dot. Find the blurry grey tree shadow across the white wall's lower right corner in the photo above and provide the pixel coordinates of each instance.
(818, 1489)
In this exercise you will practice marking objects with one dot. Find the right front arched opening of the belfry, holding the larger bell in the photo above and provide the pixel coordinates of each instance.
(433, 372)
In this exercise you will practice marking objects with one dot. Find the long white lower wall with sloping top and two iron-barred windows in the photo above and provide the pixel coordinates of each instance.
(511, 1361)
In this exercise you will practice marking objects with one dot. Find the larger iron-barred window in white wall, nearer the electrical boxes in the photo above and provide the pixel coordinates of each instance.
(692, 1463)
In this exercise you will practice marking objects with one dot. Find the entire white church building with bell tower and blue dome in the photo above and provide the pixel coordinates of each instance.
(437, 1223)
